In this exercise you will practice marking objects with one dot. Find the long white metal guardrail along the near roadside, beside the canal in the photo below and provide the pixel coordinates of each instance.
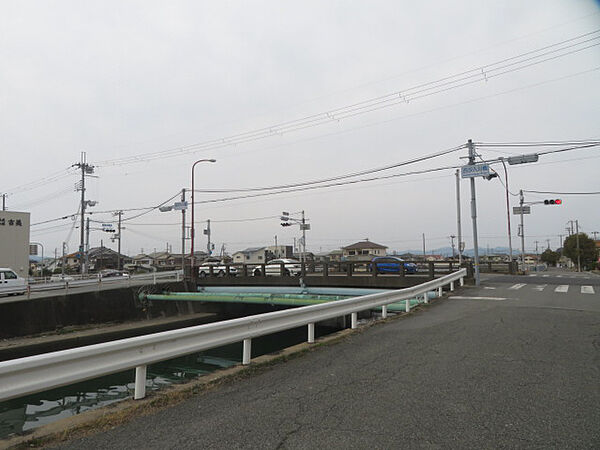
(42, 372)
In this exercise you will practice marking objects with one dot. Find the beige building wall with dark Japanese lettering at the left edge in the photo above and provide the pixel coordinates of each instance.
(14, 241)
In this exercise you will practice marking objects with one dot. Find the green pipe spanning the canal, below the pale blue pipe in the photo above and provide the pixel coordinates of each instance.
(262, 299)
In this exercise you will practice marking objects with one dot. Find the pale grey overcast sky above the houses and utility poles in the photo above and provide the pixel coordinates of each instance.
(129, 78)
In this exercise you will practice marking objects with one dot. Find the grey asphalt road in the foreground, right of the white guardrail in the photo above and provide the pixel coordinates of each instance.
(489, 367)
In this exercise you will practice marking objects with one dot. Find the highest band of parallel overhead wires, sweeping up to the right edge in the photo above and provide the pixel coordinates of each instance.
(479, 74)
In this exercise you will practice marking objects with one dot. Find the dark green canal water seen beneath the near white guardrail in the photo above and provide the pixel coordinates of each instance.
(32, 411)
